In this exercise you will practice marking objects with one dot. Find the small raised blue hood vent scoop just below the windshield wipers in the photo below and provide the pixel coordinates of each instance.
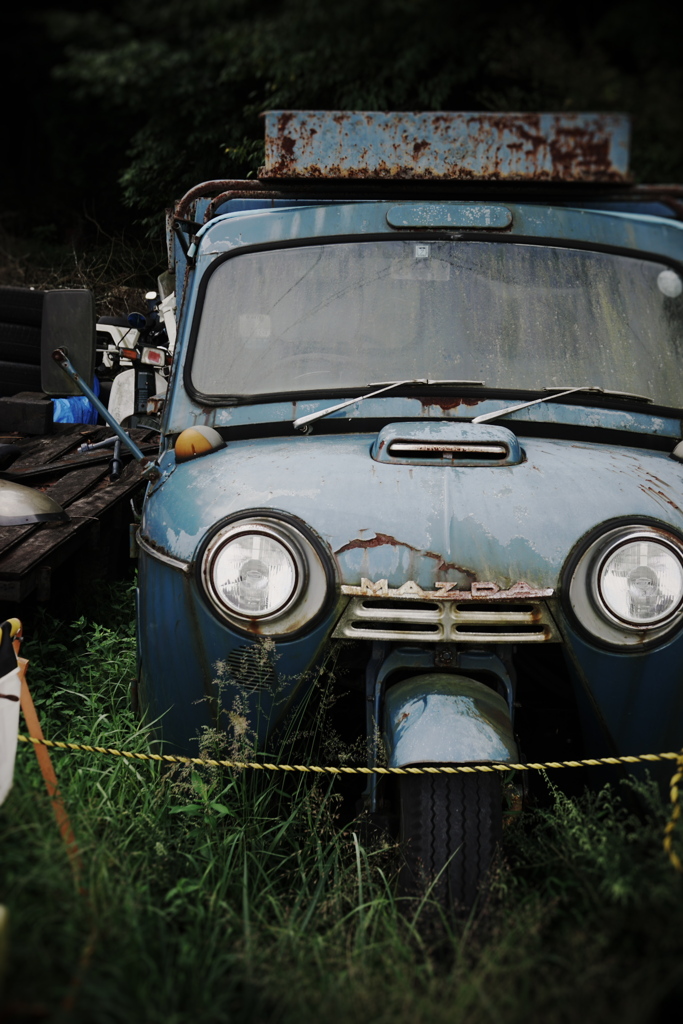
(447, 445)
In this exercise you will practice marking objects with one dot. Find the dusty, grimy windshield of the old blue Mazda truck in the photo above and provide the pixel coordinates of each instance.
(346, 316)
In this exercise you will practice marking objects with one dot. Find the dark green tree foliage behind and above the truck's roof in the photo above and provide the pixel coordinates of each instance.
(190, 81)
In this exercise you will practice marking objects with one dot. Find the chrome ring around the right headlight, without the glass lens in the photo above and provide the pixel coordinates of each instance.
(585, 591)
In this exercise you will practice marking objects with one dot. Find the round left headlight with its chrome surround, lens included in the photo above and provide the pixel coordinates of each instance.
(265, 575)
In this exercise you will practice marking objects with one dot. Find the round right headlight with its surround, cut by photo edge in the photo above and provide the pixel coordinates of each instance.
(627, 586)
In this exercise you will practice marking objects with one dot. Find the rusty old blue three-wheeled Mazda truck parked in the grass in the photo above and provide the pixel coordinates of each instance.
(426, 405)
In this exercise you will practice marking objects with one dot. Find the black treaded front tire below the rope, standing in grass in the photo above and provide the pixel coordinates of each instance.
(450, 829)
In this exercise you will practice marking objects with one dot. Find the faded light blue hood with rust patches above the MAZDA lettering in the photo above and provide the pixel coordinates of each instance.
(419, 521)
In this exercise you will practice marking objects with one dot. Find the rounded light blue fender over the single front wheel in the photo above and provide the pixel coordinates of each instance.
(446, 719)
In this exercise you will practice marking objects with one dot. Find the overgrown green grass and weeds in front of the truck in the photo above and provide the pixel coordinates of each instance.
(215, 898)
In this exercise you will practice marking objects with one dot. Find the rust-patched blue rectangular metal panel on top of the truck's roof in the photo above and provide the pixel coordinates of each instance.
(334, 145)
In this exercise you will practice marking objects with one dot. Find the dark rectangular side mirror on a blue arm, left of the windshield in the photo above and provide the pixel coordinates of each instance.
(69, 323)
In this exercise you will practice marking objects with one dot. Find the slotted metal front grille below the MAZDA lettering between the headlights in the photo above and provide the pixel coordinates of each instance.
(469, 622)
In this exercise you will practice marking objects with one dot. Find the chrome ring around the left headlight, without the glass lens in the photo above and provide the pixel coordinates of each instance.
(314, 577)
